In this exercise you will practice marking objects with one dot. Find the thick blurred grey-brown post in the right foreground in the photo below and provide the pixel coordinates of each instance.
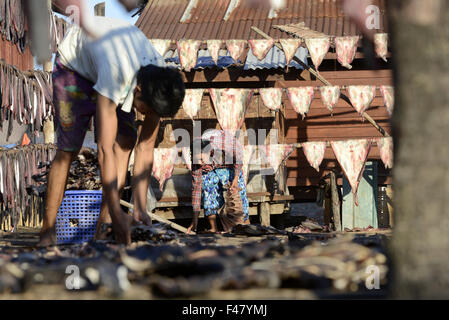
(420, 246)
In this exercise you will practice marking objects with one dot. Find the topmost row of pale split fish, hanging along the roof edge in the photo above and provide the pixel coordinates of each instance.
(345, 48)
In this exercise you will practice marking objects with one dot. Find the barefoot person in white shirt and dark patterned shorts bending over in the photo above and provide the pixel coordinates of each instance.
(108, 78)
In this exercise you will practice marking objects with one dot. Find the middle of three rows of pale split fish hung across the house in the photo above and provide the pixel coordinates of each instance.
(230, 104)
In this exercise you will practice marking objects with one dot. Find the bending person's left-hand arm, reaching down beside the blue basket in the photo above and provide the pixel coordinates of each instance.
(107, 132)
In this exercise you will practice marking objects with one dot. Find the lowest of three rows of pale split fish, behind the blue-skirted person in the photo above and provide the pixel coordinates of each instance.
(350, 154)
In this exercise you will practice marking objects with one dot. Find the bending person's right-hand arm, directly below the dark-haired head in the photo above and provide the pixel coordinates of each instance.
(143, 164)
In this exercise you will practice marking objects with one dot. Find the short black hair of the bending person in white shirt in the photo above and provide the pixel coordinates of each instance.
(162, 89)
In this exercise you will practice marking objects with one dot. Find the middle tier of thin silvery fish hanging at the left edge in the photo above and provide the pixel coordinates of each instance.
(26, 97)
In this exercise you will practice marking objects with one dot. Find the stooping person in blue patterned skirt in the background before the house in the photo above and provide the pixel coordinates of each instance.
(211, 173)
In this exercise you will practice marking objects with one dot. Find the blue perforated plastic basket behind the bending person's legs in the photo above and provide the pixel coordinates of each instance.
(77, 216)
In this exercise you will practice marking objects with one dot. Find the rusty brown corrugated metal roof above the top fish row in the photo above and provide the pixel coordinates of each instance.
(161, 19)
